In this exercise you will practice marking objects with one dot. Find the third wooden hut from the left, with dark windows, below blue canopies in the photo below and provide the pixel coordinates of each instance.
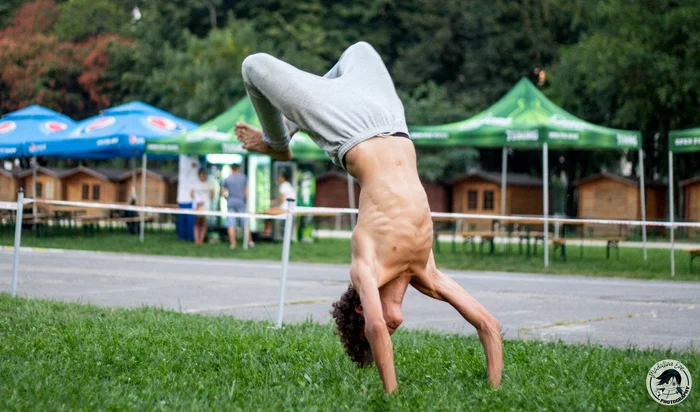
(83, 184)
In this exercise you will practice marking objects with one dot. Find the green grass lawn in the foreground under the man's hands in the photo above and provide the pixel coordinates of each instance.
(60, 356)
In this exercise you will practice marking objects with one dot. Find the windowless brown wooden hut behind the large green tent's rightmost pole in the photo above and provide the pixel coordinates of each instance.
(610, 196)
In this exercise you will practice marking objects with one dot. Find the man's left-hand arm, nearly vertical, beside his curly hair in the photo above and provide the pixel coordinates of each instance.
(376, 331)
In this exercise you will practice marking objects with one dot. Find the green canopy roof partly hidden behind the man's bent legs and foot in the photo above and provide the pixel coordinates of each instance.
(217, 137)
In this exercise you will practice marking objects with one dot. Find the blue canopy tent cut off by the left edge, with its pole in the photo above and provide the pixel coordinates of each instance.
(31, 123)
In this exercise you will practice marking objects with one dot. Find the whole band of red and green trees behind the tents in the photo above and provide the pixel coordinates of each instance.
(621, 63)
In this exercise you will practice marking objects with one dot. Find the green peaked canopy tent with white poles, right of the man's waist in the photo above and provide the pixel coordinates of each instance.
(526, 118)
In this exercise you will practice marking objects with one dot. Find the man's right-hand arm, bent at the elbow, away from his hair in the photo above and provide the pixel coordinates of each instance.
(441, 287)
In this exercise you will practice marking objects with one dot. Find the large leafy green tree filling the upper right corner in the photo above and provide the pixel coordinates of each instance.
(637, 69)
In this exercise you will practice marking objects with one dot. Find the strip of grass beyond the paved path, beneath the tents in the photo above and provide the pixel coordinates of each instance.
(593, 263)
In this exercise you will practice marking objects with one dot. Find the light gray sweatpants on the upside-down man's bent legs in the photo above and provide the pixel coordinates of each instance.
(353, 102)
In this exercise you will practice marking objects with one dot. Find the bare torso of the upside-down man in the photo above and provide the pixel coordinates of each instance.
(394, 231)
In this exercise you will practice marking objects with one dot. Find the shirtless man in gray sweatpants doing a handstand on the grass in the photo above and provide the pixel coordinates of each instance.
(355, 115)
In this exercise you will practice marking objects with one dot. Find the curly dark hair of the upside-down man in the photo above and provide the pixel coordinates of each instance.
(350, 327)
